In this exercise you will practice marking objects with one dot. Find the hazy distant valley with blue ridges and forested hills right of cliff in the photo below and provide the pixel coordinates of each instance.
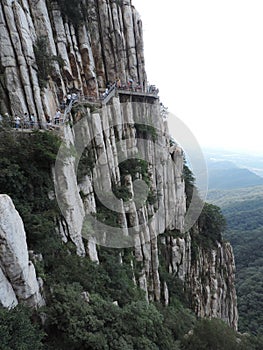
(236, 185)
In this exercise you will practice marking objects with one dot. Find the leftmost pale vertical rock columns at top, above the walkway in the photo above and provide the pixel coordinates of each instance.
(23, 75)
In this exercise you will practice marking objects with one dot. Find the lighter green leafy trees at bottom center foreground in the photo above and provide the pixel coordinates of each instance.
(76, 321)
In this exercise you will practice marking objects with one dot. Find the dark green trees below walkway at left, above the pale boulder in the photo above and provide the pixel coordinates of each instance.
(25, 162)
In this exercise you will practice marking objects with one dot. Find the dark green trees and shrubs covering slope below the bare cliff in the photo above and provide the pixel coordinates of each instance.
(89, 306)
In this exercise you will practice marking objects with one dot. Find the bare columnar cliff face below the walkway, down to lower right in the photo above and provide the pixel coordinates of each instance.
(113, 135)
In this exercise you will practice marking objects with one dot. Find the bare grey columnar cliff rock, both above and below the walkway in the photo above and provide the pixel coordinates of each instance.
(121, 148)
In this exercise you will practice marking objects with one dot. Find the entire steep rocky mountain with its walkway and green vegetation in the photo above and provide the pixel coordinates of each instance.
(96, 221)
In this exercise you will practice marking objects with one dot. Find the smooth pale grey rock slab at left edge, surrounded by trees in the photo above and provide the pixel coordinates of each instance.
(18, 282)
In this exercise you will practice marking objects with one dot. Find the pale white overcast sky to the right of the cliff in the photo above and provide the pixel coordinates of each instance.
(206, 57)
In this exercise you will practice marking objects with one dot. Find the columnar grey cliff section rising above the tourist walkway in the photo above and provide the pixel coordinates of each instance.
(107, 45)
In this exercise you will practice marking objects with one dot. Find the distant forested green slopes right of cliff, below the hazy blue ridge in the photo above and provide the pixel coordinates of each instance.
(243, 209)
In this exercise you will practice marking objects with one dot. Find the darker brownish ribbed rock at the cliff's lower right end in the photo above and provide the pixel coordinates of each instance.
(208, 276)
